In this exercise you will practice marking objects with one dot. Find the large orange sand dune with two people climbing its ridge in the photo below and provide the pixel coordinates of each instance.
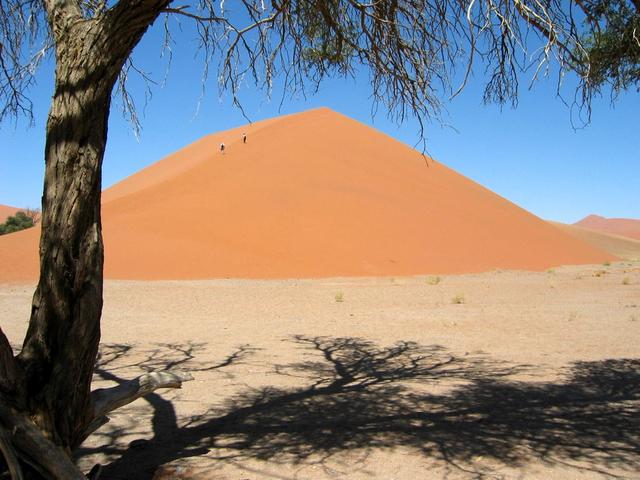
(310, 195)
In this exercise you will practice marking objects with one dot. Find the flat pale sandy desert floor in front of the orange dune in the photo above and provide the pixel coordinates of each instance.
(530, 375)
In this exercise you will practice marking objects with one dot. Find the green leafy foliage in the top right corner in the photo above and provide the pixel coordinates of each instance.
(612, 44)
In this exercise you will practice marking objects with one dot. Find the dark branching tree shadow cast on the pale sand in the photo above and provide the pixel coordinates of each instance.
(360, 397)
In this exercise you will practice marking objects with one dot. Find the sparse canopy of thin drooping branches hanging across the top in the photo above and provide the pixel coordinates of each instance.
(419, 53)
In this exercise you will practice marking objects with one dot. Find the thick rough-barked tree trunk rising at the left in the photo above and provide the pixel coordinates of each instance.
(59, 351)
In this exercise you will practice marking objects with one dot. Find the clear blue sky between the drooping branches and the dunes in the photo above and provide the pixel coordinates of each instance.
(531, 155)
